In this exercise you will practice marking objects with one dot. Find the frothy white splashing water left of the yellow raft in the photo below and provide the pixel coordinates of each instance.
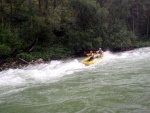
(48, 72)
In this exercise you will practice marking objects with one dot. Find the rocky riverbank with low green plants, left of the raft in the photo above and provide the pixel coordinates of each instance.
(25, 58)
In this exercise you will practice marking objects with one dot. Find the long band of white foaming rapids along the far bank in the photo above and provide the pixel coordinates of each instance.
(53, 71)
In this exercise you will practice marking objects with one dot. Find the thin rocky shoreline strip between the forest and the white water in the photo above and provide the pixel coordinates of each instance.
(21, 62)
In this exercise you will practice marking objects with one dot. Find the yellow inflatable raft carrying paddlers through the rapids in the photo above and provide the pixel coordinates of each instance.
(94, 60)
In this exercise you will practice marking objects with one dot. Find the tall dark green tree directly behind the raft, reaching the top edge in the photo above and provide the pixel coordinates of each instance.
(84, 33)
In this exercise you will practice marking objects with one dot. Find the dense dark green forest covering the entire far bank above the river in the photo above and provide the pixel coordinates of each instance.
(54, 29)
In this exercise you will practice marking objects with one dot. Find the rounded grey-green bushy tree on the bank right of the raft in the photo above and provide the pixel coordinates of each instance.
(120, 37)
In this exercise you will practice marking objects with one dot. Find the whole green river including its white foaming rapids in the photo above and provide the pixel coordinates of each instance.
(120, 83)
